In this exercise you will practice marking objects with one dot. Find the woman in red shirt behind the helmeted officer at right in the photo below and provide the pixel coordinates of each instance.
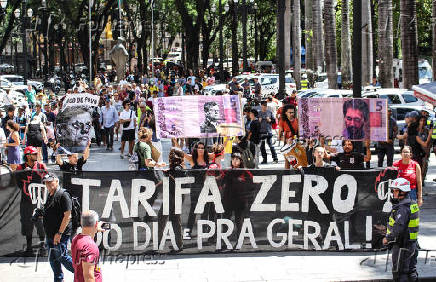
(411, 171)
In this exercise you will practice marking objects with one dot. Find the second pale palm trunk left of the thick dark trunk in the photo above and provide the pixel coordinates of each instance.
(330, 43)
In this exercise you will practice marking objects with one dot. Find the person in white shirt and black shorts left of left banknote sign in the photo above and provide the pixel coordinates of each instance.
(128, 121)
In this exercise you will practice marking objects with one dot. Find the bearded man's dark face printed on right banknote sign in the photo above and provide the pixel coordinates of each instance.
(356, 117)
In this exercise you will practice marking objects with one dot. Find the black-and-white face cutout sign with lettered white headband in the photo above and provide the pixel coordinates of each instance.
(74, 121)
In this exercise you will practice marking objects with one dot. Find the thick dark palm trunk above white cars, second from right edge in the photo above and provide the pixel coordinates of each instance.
(409, 42)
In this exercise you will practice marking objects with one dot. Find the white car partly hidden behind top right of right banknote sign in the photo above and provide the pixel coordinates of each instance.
(395, 96)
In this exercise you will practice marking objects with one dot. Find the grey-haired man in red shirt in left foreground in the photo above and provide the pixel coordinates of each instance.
(85, 251)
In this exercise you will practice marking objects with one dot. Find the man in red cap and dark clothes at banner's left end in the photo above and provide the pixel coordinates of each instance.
(32, 171)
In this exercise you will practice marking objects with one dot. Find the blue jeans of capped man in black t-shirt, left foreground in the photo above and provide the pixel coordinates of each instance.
(57, 255)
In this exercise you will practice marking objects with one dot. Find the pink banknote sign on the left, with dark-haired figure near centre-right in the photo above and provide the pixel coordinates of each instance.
(198, 116)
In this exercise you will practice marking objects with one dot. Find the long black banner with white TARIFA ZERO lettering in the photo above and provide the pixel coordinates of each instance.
(204, 211)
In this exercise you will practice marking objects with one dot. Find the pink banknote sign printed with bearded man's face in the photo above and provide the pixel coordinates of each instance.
(348, 118)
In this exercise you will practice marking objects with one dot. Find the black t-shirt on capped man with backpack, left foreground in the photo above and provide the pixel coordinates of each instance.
(54, 209)
